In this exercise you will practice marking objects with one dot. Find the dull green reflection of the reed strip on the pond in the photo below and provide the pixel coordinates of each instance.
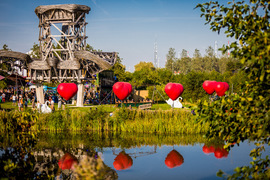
(101, 140)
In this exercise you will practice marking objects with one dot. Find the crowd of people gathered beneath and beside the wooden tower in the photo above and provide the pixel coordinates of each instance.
(25, 98)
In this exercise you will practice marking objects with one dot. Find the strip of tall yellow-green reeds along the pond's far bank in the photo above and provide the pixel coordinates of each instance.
(109, 118)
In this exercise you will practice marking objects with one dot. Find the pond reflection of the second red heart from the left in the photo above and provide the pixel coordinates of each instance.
(122, 161)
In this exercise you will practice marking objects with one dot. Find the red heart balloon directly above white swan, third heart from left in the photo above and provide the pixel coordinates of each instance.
(174, 90)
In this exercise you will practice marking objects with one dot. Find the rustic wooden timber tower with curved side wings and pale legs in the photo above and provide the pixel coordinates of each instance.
(63, 55)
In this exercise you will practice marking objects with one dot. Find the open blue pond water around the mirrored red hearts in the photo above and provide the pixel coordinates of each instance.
(196, 164)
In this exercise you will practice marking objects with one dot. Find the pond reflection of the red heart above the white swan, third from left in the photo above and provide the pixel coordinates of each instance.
(174, 159)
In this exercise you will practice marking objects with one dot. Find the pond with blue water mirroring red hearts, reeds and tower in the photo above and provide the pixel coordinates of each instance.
(129, 156)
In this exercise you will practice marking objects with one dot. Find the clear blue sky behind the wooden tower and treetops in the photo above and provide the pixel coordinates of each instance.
(129, 27)
